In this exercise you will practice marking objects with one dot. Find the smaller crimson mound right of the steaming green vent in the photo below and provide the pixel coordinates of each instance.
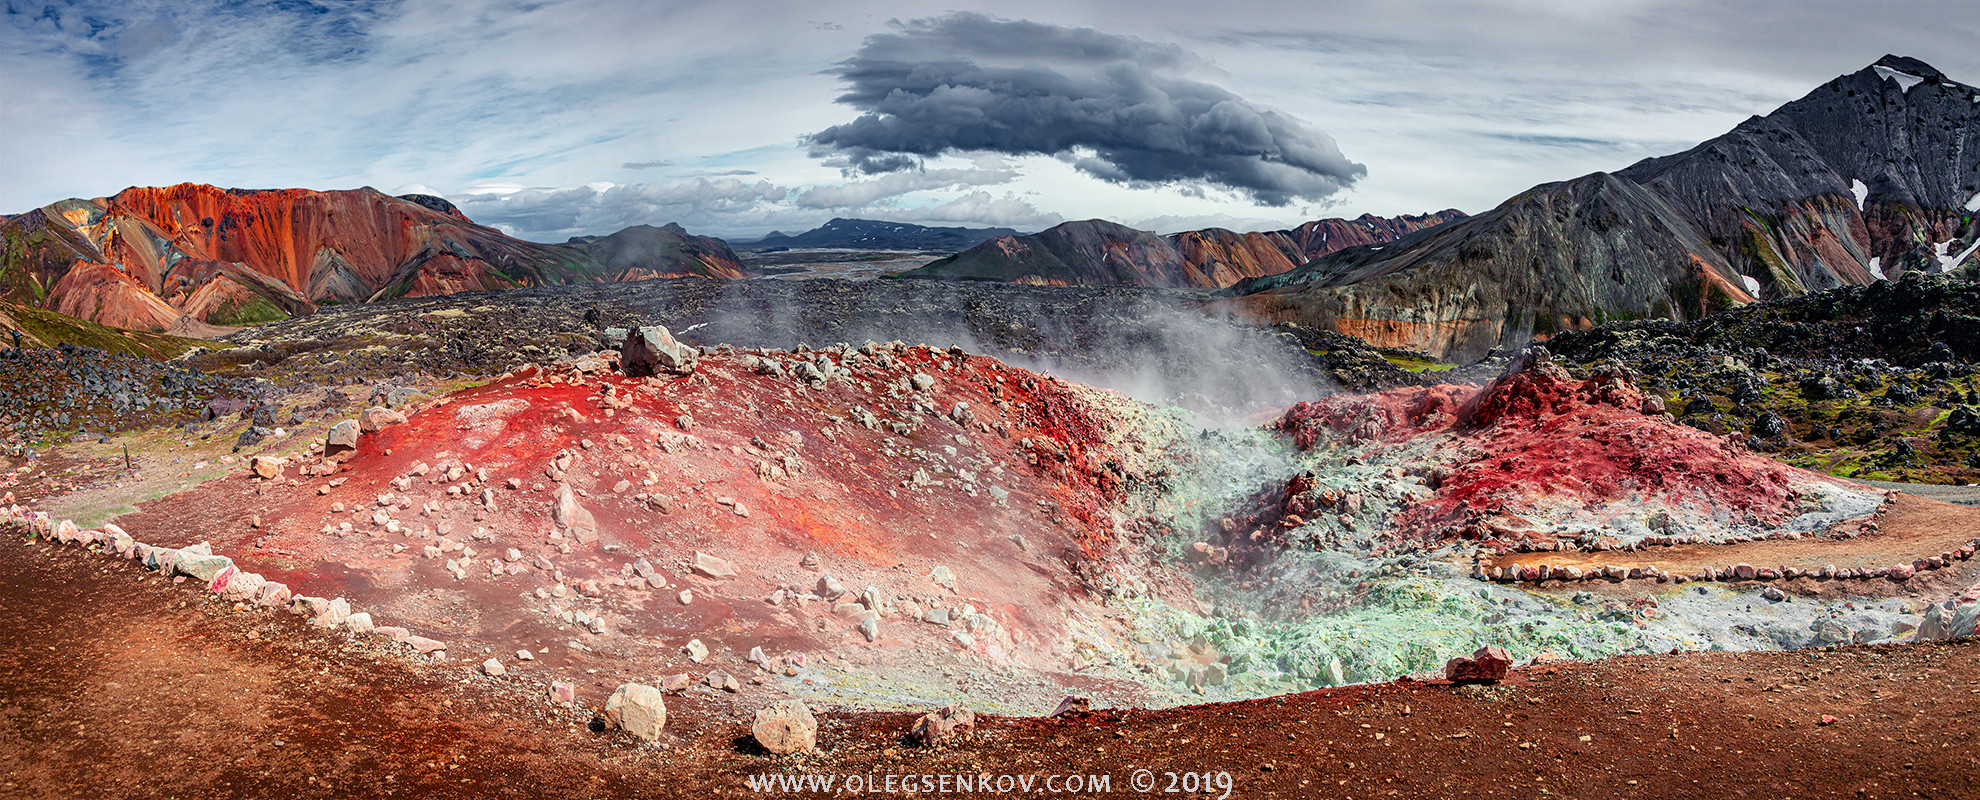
(1539, 445)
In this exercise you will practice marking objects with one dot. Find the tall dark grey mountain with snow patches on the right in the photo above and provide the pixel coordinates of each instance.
(1868, 177)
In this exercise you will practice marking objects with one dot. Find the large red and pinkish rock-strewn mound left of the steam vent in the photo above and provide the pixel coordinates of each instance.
(1011, 498)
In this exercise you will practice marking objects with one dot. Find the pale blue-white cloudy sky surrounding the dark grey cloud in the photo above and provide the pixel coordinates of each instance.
(1448, 104)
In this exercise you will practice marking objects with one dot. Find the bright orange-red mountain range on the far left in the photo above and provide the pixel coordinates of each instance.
(181, 256)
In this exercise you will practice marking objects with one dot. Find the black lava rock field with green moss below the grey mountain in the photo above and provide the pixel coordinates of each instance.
(1856, 367)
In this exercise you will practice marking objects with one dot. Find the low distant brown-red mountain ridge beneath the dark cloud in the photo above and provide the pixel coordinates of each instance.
(1098, 252)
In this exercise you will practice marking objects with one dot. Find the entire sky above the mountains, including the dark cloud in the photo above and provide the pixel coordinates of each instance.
(569, 118)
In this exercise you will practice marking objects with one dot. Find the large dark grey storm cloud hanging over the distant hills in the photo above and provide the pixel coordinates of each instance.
(1114, 106)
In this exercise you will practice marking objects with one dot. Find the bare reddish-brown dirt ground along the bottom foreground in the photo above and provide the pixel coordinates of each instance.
(126, 686)
